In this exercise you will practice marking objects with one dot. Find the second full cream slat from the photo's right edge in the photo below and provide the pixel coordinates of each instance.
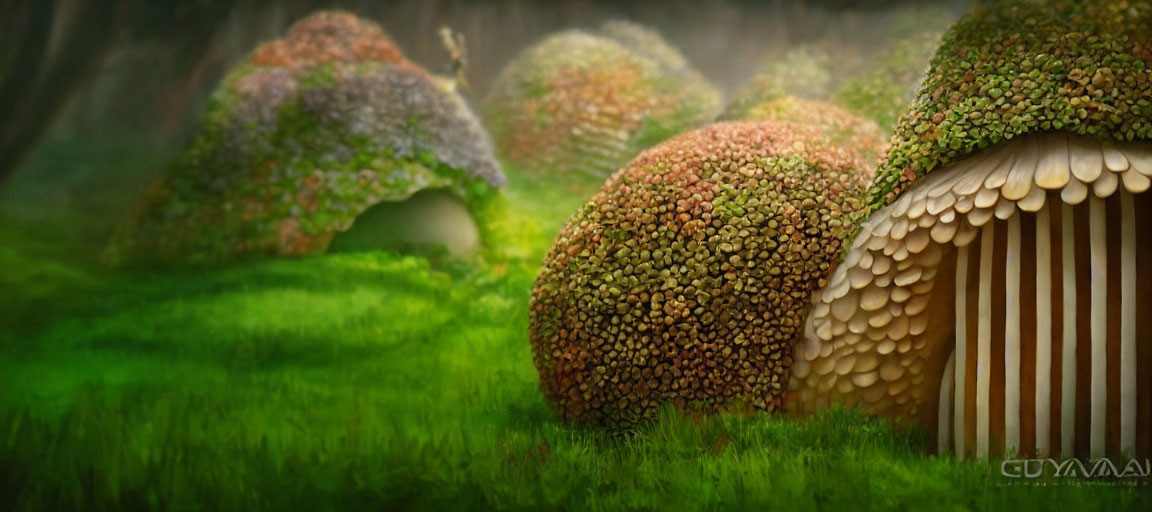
(1100, 323)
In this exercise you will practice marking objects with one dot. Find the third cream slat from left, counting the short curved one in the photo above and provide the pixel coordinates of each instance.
(984, 344)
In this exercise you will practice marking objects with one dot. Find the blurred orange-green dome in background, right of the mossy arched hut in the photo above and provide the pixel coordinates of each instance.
(587, 103)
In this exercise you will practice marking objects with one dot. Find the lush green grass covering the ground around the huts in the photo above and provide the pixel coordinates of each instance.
(376, 381)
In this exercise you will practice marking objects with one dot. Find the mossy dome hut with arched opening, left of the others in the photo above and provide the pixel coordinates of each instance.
(305, 137)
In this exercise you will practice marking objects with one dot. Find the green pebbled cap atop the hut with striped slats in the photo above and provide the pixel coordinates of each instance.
(1022, 66)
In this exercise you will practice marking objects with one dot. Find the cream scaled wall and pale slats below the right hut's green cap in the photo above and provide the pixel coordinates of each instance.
(871, 337)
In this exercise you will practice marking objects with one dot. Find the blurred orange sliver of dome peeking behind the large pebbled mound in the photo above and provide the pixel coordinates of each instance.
(836, 124)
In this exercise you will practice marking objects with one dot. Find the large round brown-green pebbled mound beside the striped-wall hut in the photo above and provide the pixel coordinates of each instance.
(685, 281)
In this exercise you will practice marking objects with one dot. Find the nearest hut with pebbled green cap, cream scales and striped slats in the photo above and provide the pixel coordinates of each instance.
(996, 290)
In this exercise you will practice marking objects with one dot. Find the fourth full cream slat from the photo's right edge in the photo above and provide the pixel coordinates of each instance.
(1043, 333)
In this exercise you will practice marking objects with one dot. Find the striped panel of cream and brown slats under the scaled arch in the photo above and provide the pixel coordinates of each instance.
(1050, 356)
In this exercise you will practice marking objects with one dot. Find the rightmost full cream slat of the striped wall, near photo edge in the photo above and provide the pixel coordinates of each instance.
(1127, 323)
